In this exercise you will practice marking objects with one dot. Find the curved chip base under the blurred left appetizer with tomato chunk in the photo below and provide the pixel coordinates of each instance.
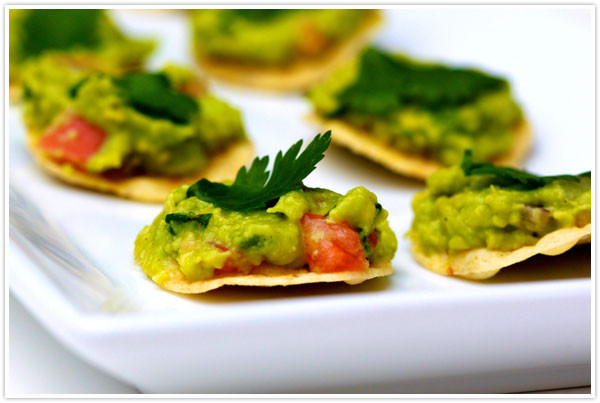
(222, 166)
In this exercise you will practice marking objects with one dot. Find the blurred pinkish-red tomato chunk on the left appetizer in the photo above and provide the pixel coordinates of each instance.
(74, 141)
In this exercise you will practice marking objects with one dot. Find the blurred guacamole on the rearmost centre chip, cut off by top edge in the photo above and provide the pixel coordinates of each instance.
(271, 37)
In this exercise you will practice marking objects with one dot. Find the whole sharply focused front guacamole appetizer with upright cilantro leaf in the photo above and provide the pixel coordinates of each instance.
(266, 229)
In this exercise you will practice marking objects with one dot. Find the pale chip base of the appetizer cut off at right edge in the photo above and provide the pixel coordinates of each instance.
(482, 263)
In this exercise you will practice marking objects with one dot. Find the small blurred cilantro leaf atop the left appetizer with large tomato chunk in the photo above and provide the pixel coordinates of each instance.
(153, 94)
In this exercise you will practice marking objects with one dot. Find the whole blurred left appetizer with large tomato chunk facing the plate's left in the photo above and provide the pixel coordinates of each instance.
(138, 135)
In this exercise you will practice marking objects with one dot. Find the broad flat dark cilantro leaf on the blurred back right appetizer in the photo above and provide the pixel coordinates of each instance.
(385, 83)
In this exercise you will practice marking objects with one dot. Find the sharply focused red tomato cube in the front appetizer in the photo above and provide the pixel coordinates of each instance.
(331, 247)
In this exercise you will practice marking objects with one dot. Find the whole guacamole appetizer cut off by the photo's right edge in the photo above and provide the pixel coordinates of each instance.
(476, 218)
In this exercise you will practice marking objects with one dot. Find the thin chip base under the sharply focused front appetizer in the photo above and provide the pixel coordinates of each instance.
(270, 276)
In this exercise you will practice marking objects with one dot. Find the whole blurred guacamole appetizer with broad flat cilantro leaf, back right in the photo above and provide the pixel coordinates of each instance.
(414, 118)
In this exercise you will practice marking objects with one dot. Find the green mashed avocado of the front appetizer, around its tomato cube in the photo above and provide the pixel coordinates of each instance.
(197, 238)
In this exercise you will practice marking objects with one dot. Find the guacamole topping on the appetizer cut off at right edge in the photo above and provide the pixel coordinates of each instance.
(502, 210)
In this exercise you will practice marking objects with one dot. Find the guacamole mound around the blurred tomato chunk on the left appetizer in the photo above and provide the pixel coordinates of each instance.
(148, 123)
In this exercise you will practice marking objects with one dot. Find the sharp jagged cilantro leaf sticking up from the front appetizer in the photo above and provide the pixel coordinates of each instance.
(257, 188)
